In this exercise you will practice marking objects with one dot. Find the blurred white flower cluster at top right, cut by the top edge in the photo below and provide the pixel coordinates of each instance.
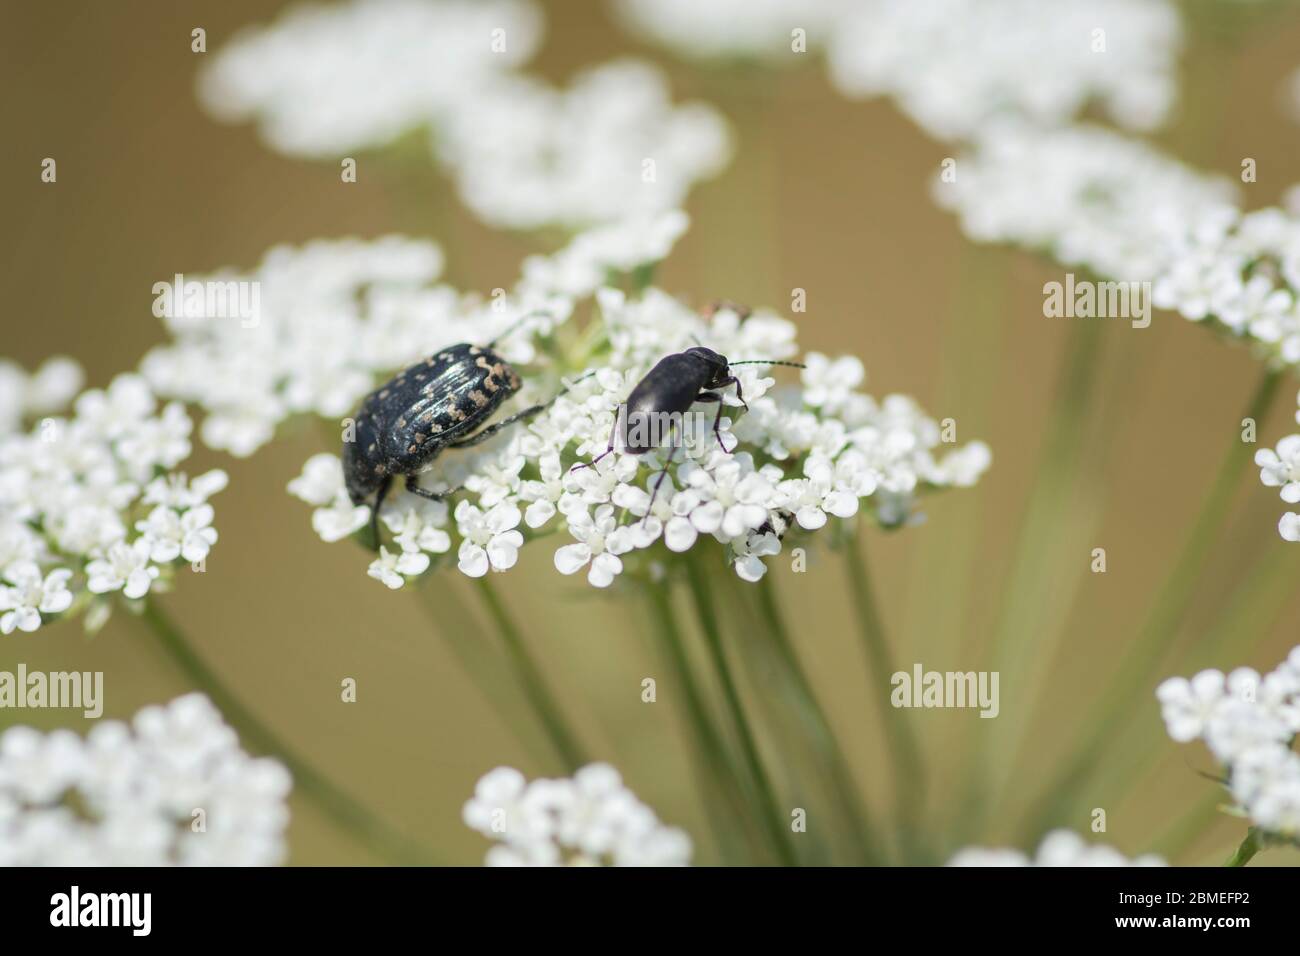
(955, 66)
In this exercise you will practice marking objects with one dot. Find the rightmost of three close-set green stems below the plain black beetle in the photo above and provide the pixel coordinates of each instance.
(818, 725)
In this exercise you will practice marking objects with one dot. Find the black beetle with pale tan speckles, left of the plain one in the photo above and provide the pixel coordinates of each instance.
(427, 408)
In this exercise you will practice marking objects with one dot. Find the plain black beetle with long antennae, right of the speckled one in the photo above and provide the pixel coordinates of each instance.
(668, 392)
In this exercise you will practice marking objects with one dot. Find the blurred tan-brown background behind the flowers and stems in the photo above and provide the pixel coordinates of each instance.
(825, 194)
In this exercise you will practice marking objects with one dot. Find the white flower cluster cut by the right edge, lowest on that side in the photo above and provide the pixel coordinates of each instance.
(1249, 723)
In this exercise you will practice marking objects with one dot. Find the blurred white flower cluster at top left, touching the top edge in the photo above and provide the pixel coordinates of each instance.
(331, 79)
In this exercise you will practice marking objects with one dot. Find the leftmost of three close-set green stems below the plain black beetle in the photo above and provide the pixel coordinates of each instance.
(720, 780)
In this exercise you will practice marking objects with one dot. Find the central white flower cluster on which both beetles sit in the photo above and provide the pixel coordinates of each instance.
(794, 460)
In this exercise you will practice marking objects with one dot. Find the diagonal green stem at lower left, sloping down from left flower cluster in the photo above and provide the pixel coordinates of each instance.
(337, 804)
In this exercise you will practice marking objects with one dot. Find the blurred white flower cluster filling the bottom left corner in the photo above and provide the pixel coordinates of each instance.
(170, 789)
